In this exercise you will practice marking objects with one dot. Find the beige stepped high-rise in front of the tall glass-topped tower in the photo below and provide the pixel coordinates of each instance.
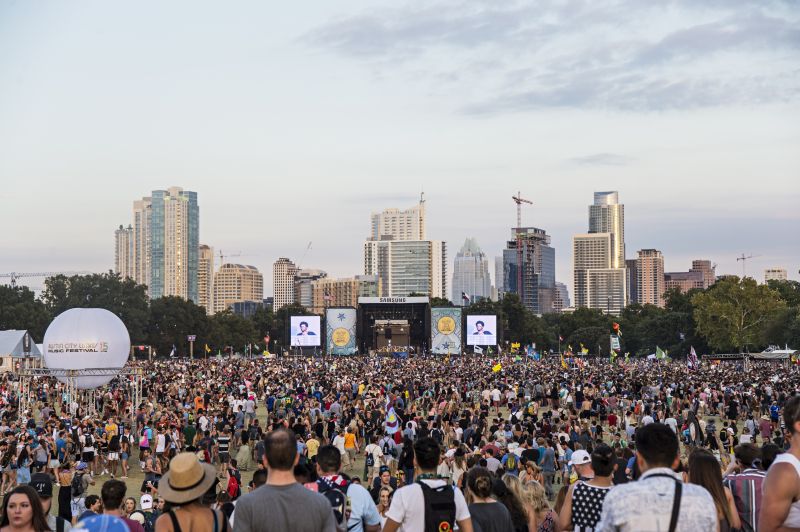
(596, 284)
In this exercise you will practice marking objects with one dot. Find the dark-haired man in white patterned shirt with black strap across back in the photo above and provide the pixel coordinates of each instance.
(658, 500)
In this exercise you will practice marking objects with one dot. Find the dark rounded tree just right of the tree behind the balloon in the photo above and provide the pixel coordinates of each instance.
(172, 319)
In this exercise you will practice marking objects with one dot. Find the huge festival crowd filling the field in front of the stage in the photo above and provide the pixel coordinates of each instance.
(425, 443)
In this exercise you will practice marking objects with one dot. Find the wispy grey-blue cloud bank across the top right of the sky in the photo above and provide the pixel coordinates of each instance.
(632, 56)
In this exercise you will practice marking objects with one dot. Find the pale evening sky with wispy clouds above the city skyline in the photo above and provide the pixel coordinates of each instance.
(294, 121)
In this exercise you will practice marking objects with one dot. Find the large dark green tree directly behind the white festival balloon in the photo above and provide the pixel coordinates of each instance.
(110, 291)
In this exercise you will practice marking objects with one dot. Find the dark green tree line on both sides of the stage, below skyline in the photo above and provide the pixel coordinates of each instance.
(732, 315)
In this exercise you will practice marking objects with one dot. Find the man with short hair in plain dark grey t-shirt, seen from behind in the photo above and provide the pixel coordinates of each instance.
(282, 504)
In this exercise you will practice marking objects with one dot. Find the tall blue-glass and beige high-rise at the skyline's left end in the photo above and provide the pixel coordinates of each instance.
(165, 243)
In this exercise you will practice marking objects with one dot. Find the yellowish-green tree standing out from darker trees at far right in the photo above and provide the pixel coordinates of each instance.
(733, 312)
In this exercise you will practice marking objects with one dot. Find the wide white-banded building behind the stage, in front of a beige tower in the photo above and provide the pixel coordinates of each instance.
(407, 266)
